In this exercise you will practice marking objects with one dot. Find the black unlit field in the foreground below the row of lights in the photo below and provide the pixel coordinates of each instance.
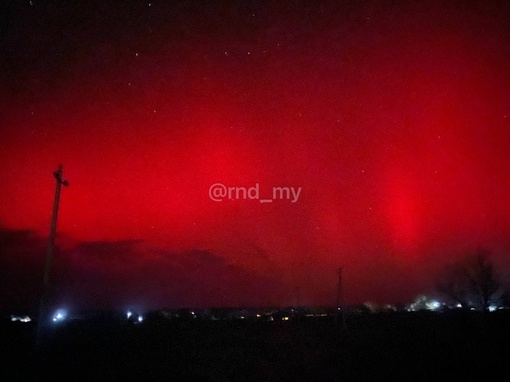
(404, 346)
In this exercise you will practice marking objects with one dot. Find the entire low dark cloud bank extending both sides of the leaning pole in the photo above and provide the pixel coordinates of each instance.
(117, 274)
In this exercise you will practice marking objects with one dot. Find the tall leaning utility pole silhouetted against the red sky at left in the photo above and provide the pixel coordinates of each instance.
(43, 314)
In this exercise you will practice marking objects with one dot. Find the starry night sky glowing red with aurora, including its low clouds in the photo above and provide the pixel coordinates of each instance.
(393, 119)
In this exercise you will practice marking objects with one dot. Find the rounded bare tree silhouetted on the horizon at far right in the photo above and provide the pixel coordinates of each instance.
(471, 282)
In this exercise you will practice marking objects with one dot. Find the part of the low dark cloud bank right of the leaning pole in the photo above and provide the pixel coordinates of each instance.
(118, 274)
